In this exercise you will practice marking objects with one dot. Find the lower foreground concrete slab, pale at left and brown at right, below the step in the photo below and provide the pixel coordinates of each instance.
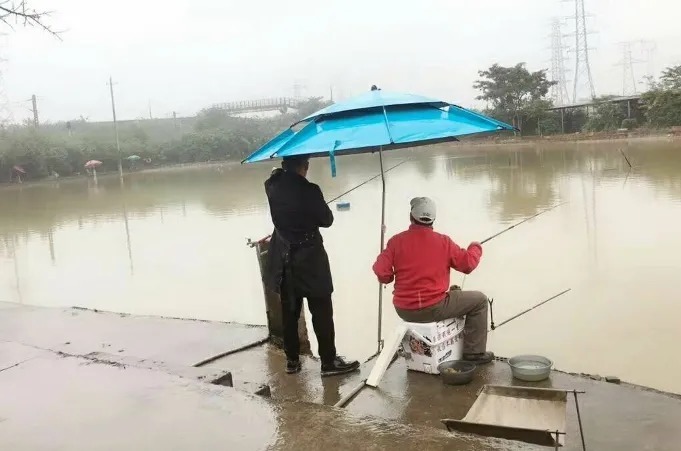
(55, 402)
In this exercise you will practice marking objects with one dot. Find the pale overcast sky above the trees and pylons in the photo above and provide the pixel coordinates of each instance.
(184, 55)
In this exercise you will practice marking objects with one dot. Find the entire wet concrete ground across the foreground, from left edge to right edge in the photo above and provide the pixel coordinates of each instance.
(150, 397)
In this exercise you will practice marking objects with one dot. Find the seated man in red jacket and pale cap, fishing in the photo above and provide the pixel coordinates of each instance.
(419, 261)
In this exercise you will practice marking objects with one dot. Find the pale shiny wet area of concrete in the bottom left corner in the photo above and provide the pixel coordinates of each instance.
(71, 403)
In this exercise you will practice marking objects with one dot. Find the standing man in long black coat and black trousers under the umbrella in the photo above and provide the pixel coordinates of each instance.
(297, 263)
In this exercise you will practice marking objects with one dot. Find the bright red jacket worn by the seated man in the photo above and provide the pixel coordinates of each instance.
(419, 260)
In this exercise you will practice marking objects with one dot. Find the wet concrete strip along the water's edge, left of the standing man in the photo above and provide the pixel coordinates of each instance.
(80, 332)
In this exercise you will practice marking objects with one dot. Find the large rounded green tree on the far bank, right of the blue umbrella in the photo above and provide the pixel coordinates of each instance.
(515, 94)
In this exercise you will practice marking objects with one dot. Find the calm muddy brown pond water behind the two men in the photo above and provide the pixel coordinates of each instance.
(173, 243)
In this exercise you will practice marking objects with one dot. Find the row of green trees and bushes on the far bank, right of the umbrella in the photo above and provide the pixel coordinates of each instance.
(521, 97)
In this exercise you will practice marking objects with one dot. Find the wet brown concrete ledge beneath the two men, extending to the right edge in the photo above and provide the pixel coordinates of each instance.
(615, 417)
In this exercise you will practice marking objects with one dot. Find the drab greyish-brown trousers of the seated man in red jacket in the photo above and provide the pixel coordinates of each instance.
(457, 303)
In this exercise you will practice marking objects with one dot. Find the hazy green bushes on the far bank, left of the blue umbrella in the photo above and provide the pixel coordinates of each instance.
(212, 135)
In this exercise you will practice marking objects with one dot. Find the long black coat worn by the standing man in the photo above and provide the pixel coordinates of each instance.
(296, 249)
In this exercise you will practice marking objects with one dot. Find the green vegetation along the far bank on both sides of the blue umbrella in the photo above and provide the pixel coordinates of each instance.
(512, 94)
